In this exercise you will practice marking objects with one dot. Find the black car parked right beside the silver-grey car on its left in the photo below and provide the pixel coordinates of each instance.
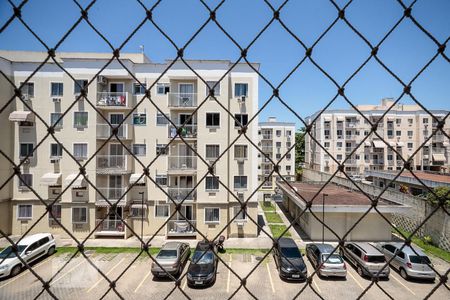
(203, 267)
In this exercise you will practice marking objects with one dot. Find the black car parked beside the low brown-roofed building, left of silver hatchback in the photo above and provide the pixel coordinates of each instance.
(289, 261)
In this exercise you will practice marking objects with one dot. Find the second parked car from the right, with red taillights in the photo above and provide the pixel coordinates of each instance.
(367, 259)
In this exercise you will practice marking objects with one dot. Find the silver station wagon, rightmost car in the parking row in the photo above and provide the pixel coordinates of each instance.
(410, 264)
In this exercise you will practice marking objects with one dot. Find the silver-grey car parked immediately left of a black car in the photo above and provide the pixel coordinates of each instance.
(172, 258)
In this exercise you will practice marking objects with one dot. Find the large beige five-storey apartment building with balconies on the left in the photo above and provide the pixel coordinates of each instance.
(176, 172)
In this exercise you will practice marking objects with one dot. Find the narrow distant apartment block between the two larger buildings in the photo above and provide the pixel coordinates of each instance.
(275, 140)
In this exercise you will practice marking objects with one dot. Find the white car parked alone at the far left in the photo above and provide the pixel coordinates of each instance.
(30, 249)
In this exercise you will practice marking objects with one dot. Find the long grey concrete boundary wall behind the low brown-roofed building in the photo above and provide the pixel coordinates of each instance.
(438, 226)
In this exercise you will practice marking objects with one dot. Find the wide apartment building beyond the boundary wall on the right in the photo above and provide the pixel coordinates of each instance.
(405, 128)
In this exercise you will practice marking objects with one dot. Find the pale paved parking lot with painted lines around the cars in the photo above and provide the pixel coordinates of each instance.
(80, 280)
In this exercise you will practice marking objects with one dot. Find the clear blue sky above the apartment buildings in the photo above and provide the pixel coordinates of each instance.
(340, 52)
